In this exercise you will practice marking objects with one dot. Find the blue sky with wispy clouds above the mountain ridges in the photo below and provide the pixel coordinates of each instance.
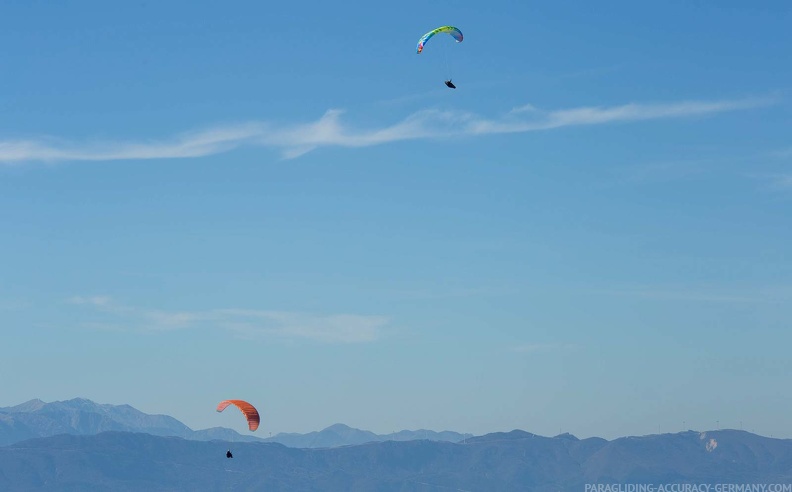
(284, 204)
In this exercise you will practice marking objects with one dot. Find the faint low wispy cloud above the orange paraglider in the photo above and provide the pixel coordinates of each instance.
(246, 323)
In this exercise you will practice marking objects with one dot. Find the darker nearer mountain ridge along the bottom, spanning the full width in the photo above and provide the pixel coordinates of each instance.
(511, 461)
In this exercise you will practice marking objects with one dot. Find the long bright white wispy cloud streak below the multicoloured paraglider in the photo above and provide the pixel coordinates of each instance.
(330, 130)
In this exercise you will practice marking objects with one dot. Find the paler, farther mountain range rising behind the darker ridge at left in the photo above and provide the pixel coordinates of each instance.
(80, 416)
